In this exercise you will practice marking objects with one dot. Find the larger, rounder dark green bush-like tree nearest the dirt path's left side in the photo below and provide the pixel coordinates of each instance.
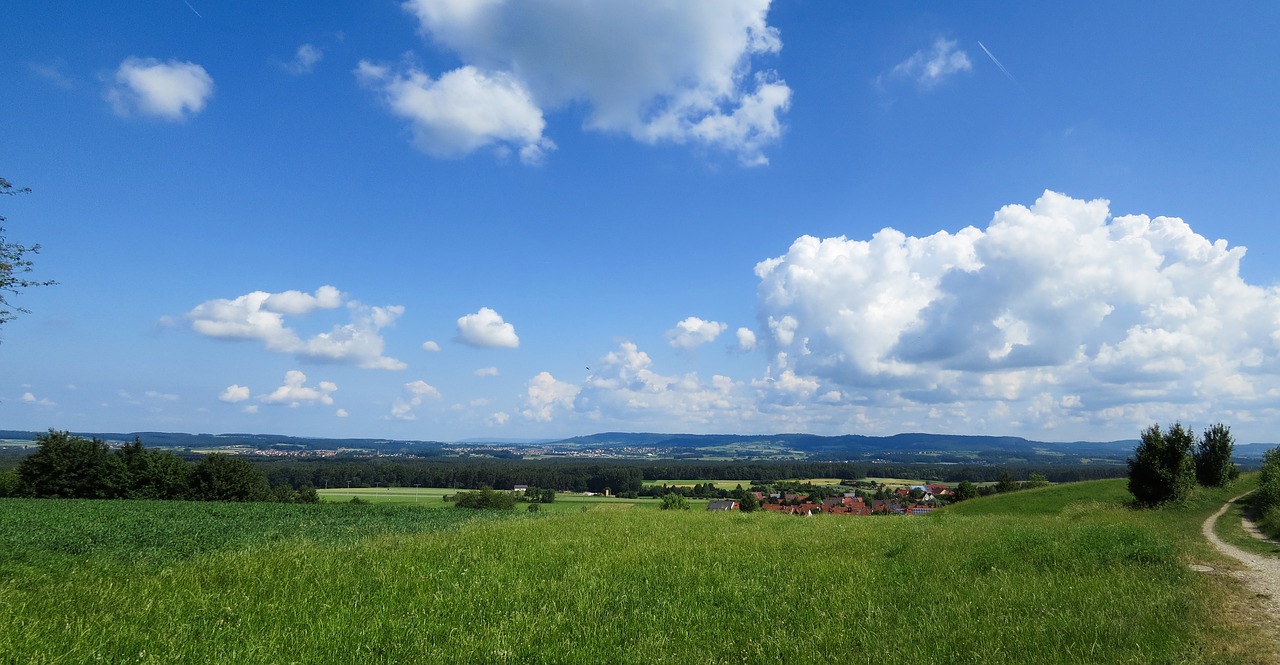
(1162, 470)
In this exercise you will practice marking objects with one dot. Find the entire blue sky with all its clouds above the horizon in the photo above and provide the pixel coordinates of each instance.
(445, 219)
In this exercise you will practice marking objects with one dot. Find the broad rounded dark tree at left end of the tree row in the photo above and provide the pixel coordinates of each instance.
(70, 467)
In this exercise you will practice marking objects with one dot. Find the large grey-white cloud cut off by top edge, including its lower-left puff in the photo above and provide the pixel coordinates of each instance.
(660, 71)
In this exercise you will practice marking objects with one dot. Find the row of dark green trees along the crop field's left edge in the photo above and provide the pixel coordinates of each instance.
(74, 467)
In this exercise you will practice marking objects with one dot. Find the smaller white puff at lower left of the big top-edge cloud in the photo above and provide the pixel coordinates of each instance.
(463, 112)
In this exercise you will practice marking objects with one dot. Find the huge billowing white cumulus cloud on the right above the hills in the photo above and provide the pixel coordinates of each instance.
(1057, 314)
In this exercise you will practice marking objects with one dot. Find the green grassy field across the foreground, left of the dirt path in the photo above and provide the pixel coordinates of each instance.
(1060, 575)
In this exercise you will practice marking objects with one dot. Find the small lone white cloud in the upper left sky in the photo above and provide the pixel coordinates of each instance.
(172, 90)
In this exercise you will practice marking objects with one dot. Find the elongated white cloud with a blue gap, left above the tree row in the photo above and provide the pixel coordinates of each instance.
(259, 317)
